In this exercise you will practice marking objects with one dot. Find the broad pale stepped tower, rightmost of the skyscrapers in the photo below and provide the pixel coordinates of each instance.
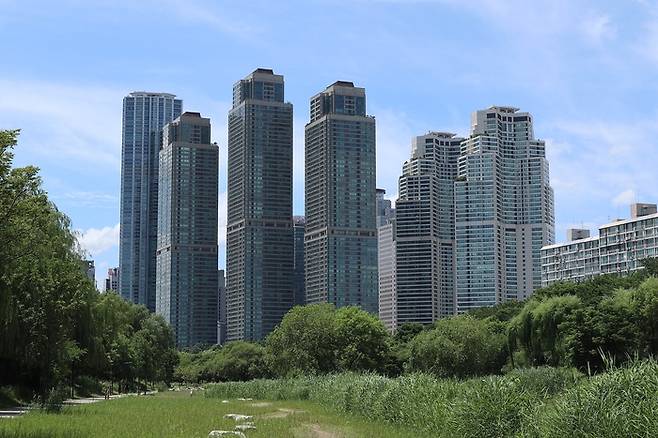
(503, 209)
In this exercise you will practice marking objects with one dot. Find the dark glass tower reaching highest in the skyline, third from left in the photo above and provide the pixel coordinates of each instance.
(259, 254)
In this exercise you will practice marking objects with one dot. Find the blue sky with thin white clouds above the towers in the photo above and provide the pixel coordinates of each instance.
(587, 70)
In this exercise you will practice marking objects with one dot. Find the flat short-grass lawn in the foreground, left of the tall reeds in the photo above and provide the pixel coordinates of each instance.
(173, 414)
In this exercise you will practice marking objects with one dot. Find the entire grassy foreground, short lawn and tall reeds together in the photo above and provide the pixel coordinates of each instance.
(530, 403)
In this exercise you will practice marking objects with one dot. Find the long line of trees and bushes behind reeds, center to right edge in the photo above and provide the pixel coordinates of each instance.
(585, 325)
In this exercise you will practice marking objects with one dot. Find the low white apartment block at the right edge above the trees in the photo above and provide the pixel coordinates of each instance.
(618, 249)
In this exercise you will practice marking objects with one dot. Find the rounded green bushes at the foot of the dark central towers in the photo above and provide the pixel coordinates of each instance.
(314, 339)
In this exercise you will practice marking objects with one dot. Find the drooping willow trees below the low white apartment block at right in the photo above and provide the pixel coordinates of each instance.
(583, 324)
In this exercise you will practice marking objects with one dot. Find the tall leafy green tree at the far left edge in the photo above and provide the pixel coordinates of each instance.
(43, 289)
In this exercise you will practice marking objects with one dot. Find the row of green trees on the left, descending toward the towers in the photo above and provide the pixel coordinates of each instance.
(56, 329)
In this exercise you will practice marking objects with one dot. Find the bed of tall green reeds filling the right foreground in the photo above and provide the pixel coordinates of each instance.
(533, 402)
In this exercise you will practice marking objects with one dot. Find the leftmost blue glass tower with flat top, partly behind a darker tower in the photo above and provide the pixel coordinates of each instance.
(144, 116)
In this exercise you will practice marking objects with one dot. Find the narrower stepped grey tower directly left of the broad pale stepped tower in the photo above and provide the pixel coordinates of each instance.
(425, 230)
